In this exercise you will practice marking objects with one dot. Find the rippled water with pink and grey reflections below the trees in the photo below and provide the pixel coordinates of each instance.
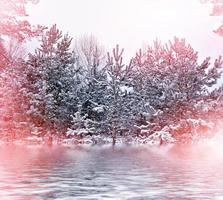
(58, 172)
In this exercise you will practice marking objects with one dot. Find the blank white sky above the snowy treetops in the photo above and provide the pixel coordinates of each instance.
(131, 23)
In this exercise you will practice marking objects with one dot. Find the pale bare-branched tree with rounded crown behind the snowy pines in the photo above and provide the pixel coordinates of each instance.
(92, 63)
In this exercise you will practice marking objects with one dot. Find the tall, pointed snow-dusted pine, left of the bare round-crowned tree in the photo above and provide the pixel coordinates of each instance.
(50, 80)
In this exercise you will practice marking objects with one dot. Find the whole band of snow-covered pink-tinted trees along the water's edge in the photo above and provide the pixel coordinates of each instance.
(76, 90)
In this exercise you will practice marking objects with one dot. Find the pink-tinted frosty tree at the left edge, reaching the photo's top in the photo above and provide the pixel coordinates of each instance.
(14, 31)
